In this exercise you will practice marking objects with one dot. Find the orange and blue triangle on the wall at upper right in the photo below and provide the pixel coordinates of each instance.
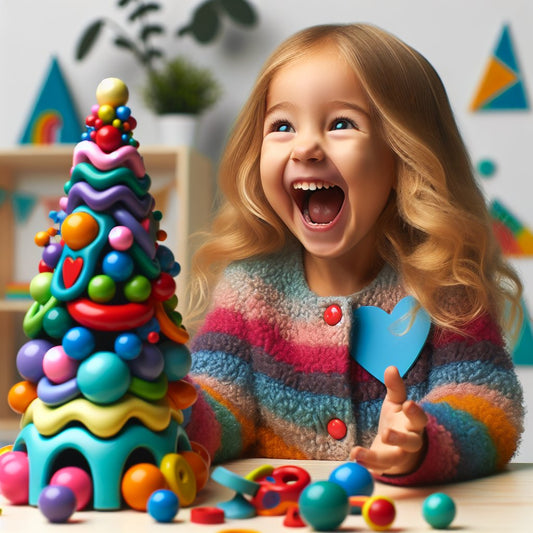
(502, 85)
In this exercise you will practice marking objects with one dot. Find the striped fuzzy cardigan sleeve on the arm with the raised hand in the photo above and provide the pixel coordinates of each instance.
(474, 406)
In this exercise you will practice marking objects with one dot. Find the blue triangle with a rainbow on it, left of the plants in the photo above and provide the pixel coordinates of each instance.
(53, 119)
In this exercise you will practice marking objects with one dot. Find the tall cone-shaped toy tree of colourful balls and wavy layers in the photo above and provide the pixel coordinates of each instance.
(104, 391)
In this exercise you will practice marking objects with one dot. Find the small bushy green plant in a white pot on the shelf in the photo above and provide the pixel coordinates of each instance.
(179, 92)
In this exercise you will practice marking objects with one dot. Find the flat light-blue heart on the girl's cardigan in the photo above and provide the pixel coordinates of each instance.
(380, 339)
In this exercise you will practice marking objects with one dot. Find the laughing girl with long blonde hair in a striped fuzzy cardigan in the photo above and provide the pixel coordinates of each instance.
(359, 290)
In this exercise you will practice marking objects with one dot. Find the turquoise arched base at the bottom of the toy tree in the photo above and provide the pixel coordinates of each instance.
(106, 458)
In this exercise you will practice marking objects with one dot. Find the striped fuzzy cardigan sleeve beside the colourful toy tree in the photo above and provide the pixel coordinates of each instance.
(223, 418)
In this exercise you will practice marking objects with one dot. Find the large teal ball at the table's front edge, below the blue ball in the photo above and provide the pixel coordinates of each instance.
(323, 505)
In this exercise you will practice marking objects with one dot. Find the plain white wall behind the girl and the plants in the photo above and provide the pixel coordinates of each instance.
(456, 36)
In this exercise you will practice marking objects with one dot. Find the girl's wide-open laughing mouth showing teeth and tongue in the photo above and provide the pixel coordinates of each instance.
(319, 202)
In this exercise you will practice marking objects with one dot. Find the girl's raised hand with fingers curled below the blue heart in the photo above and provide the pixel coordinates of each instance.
(399, 444)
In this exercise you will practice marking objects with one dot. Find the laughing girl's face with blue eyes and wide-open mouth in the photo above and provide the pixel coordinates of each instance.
(325, 169)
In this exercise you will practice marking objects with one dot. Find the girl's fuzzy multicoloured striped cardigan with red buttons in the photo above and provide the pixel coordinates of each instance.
(276, 380)
